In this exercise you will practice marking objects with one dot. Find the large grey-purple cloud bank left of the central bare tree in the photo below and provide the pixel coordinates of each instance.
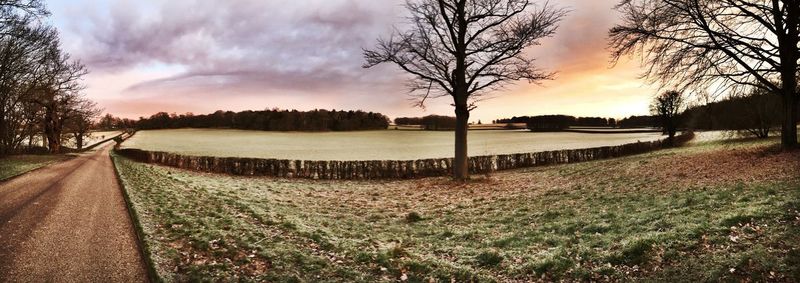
(266, 44)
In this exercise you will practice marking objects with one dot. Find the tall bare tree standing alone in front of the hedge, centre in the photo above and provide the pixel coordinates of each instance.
(465, 49)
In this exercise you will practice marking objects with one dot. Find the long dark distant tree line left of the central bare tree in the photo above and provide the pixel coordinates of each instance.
(270, 120)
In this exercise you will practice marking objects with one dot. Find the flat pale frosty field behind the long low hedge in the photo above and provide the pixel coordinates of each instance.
(369, 145)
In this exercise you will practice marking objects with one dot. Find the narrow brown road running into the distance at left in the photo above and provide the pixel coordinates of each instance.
(68, 222)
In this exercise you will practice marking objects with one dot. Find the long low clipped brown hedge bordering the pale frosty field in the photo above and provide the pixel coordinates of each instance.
(385, 169)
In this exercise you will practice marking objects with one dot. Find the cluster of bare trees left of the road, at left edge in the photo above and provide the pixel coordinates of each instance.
(40, 88)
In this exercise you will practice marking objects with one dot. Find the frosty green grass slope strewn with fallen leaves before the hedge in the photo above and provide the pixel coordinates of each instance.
(708, 212)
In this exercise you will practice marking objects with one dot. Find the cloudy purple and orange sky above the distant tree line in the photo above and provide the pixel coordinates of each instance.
(200, 56)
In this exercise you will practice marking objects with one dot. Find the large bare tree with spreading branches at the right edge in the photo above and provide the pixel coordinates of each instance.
(729, 45)
